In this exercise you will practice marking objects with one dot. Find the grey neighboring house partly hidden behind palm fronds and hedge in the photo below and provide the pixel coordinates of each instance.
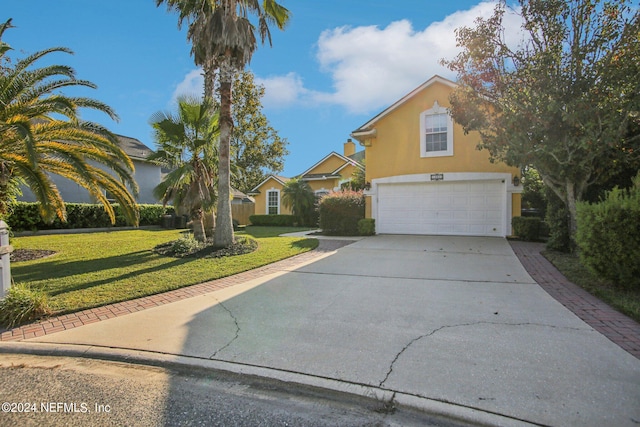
(147, 175)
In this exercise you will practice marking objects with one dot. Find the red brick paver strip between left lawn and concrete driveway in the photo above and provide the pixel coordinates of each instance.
(74, 320)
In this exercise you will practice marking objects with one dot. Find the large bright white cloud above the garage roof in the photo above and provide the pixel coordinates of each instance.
(372, 67)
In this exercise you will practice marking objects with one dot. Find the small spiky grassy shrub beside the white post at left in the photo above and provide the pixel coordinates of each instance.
(23, 304)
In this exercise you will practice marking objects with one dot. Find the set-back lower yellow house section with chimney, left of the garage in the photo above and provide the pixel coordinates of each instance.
(325, 176)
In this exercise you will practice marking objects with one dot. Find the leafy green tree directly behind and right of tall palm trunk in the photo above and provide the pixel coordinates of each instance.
(256, 148)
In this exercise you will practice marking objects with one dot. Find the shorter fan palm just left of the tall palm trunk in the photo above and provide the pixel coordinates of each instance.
(185, 142)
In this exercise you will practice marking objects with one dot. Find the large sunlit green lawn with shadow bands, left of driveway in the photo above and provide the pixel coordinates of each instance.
(95, 269)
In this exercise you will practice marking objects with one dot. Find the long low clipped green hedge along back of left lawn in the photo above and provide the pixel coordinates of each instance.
(25, 216)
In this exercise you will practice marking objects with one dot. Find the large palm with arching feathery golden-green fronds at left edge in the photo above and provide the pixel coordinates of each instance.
(41, 134)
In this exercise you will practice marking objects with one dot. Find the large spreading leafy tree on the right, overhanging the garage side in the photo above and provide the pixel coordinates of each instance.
(562, 100)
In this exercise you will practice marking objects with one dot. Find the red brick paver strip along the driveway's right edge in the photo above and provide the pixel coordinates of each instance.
(620, 329)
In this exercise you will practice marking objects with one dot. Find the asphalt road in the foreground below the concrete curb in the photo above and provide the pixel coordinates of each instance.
(63, 391)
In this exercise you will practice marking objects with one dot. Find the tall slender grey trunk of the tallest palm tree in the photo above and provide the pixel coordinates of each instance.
(223, 235)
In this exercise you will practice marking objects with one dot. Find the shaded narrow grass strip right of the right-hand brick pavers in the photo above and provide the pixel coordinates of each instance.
(624, 300)
